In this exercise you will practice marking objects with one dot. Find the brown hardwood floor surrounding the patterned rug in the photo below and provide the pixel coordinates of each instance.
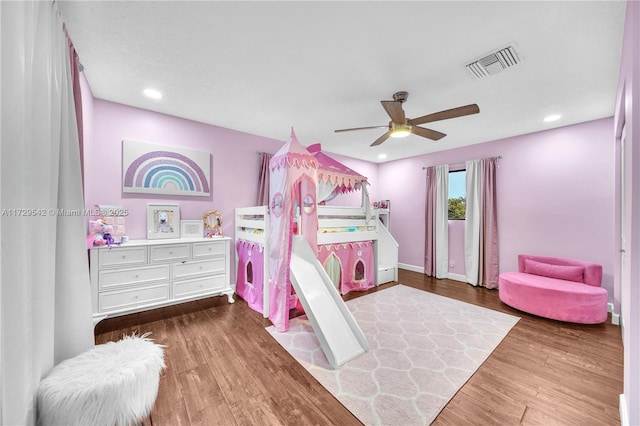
(223, 368)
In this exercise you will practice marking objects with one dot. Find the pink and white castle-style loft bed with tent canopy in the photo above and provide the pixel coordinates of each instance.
(301, 179)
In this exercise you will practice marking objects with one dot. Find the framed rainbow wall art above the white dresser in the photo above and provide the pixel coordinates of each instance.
(157, 169)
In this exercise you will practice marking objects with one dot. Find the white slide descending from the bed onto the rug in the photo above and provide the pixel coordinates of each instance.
(339, 334)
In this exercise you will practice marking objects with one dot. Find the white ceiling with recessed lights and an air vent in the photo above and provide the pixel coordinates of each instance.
(264, 67)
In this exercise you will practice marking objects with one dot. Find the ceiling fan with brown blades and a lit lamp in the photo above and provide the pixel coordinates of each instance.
(400, 126)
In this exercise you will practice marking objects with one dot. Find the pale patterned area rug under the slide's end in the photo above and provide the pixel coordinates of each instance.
(422, 349)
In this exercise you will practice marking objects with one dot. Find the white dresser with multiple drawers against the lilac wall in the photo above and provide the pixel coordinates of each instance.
(146, 274)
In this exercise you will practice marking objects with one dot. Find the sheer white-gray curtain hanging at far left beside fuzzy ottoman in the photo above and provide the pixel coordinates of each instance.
(46, 292)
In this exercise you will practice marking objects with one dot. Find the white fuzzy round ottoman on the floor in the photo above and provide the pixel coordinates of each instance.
(112, 384)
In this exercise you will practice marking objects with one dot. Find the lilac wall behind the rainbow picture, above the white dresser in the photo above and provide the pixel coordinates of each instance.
(234, 170)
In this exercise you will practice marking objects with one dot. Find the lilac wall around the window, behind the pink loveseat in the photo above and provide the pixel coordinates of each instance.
(555, 195)
